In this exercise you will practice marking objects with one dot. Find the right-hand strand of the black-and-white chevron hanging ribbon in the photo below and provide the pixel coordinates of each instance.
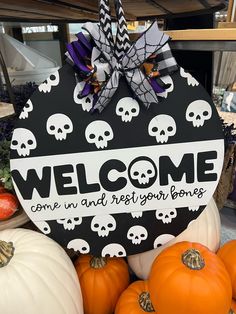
(122, 36)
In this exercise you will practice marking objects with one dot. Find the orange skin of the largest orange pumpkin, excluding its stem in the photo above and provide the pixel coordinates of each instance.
(175, 288)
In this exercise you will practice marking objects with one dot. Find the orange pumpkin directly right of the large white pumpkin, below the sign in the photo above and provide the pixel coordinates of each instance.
(102, 280)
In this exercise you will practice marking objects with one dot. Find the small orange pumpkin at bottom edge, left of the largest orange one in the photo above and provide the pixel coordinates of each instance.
(135, 300)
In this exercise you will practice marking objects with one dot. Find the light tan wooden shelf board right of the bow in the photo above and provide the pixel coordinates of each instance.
(203, 34)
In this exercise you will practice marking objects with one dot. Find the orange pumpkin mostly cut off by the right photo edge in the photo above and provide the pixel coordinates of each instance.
(227, 253)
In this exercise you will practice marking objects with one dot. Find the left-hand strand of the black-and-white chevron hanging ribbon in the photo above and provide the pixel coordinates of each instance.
(105, 19)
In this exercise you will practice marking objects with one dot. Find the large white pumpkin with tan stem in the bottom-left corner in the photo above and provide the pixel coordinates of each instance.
(36, 275)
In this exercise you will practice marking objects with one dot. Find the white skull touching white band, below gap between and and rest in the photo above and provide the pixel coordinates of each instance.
(103, 225)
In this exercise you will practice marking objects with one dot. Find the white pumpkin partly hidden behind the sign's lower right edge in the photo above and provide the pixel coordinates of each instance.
(205, 230)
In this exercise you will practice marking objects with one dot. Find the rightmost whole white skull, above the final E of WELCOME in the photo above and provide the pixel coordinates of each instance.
(198, 112)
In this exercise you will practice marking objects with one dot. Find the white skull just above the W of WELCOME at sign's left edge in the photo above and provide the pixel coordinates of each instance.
(23, 140)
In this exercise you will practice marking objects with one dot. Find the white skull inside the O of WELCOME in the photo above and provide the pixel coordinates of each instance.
(143, 171)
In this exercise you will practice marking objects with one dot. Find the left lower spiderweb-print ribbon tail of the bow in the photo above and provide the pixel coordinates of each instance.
(108, 90)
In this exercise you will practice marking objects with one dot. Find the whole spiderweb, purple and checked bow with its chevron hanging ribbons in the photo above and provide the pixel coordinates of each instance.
(101, 66)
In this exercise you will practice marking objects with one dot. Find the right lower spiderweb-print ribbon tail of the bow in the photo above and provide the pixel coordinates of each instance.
(141, 87)
